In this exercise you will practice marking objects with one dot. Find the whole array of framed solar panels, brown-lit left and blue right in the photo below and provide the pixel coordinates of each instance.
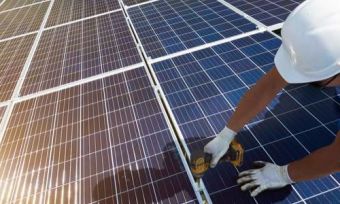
(101, 101)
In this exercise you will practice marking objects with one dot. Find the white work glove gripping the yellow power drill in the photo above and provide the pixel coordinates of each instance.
(219, 145)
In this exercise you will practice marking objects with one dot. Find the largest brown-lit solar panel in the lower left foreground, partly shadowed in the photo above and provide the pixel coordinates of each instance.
(104, 141)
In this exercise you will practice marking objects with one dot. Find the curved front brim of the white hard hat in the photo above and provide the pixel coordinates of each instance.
(287, 69)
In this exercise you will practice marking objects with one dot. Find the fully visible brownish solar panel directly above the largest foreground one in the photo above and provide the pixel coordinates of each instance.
(80, 50)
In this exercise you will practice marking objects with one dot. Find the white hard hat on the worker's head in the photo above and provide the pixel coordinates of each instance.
(310, 49)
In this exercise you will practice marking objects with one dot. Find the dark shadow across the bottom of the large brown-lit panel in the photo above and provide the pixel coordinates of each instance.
(127, 178)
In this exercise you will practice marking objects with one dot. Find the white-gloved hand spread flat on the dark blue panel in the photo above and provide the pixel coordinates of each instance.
(270, 176)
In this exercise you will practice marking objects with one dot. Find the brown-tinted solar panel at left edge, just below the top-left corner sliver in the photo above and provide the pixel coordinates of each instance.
(23, 20)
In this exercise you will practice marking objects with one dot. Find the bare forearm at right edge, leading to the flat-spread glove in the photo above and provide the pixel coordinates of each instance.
(322, 162)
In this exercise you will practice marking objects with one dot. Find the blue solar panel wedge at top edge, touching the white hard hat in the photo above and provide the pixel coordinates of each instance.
(267, 12)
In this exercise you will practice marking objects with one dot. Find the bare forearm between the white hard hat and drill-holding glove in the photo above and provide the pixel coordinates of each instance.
(256, 99)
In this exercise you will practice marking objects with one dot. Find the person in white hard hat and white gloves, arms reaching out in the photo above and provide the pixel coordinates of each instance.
(310, 53)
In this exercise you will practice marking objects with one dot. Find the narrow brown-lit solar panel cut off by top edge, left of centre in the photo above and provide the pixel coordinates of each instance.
(64, 11)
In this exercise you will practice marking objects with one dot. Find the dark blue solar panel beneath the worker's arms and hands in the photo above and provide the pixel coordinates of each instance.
(203, 88)
